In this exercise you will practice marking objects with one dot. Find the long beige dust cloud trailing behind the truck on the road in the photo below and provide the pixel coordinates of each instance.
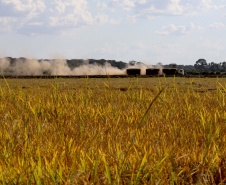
(55, 67)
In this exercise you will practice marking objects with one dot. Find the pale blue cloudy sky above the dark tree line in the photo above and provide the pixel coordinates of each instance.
(150, 31)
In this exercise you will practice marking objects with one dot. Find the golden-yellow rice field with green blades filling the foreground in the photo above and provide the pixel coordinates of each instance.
(113, 131)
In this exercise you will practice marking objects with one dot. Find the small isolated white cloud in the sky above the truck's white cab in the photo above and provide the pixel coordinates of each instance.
(176, 30)
